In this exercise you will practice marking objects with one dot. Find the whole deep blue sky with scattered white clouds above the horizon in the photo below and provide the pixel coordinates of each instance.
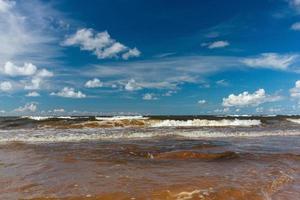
(149, 57)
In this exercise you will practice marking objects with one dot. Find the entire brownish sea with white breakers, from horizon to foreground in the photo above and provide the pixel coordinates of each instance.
(150, 157)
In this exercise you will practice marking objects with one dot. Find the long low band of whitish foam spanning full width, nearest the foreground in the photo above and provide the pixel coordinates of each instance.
(73, 135)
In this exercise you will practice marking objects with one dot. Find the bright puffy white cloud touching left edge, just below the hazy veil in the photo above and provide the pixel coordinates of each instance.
(11, 69)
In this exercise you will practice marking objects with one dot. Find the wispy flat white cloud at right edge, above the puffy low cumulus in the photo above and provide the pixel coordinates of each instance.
(271, 60)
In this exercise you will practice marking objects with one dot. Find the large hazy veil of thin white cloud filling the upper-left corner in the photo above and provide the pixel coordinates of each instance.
(27, 32)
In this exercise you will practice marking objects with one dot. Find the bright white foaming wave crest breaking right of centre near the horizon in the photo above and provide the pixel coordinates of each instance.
(207, 123)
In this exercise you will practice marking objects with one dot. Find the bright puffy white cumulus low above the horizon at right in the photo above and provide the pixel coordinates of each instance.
(247, 99)
